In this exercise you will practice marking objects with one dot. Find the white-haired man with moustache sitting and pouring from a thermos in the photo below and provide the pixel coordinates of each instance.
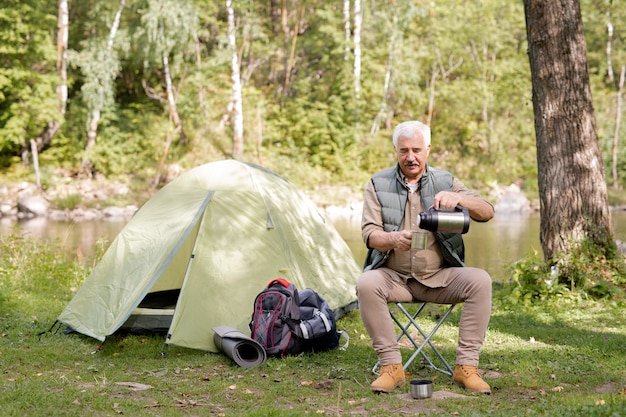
(437, 274)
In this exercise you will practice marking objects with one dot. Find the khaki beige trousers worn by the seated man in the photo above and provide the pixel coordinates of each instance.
(471, 286)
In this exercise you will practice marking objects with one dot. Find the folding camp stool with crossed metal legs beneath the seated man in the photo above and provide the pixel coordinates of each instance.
(405, 331)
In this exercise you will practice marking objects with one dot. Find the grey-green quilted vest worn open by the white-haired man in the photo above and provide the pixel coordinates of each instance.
(393, 197)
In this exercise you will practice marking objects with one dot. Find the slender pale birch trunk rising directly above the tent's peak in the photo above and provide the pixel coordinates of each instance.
(236, 100)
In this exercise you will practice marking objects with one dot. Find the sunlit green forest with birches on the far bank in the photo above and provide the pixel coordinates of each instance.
(308, 88)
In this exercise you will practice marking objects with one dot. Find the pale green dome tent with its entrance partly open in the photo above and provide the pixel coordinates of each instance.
(197, 253)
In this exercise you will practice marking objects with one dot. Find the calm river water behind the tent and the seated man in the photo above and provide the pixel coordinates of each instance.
(492, 246)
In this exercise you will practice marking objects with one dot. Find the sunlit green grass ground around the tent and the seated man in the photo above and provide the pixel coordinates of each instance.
(559, 358)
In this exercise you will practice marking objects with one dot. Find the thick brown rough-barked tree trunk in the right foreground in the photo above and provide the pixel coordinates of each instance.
(572, 187)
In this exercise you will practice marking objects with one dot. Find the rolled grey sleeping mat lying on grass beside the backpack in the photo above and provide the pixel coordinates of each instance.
(242, 349)
